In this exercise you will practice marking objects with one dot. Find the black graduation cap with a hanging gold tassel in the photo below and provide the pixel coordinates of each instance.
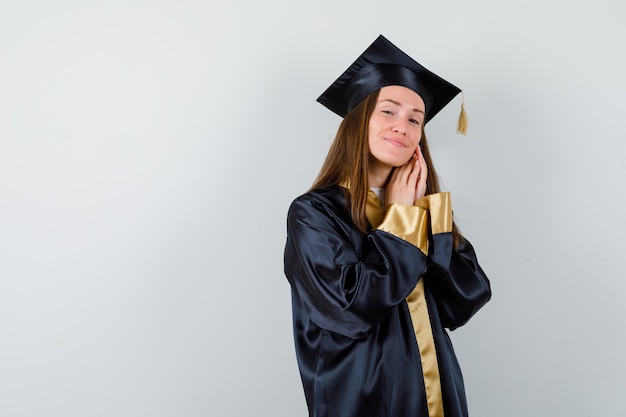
(383, 64)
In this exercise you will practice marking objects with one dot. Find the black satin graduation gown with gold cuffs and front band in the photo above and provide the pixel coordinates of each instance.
(355, 337)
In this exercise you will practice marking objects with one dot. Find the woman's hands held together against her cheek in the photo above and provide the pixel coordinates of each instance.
(408, 182)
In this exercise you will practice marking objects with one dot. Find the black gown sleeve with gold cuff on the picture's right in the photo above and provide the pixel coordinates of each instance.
(457, 280)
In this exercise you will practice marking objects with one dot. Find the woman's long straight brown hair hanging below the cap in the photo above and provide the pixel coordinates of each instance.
(347, 163)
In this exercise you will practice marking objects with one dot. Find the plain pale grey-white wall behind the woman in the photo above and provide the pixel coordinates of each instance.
(149, 151)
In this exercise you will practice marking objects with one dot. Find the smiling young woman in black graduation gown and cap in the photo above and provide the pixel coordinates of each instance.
(375, 262)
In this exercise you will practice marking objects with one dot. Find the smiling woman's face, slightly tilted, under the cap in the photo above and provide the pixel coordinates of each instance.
(395, 127)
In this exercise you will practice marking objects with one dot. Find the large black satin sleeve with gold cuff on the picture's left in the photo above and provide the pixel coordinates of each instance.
(347, 281)
